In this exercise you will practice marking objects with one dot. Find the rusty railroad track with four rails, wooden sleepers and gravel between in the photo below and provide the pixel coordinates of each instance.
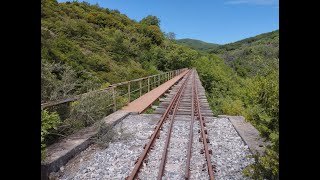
(178, 147)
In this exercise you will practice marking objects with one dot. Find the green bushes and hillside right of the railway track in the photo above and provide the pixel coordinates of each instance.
(242, 78)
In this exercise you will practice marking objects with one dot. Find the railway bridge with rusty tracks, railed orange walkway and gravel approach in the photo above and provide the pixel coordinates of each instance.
(179, 138)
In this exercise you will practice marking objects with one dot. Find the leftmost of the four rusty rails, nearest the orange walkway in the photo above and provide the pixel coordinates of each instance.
(147, 148)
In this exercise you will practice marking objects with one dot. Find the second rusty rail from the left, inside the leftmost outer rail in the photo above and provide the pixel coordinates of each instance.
(174, 111)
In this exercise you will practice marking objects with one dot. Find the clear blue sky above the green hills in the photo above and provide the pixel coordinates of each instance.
(215, 21)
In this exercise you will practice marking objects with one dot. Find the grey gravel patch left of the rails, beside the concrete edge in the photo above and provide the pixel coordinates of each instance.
(116, 161)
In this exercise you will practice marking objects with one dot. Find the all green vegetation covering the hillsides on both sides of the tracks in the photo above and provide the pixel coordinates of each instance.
(85, 47)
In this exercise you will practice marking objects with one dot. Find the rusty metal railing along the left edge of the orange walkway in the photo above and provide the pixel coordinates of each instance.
(131, 90)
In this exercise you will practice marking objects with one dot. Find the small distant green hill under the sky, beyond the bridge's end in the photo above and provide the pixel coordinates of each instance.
(197, 44)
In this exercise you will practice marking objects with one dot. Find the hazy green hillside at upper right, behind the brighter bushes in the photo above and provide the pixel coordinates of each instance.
(249, 56)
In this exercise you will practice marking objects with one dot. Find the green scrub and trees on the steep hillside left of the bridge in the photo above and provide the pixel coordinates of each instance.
(86, 47)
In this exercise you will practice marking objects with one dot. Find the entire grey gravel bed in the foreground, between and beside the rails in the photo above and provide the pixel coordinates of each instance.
(230, 154)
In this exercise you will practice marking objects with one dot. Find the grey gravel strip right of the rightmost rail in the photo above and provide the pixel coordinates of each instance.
(230, 155)
